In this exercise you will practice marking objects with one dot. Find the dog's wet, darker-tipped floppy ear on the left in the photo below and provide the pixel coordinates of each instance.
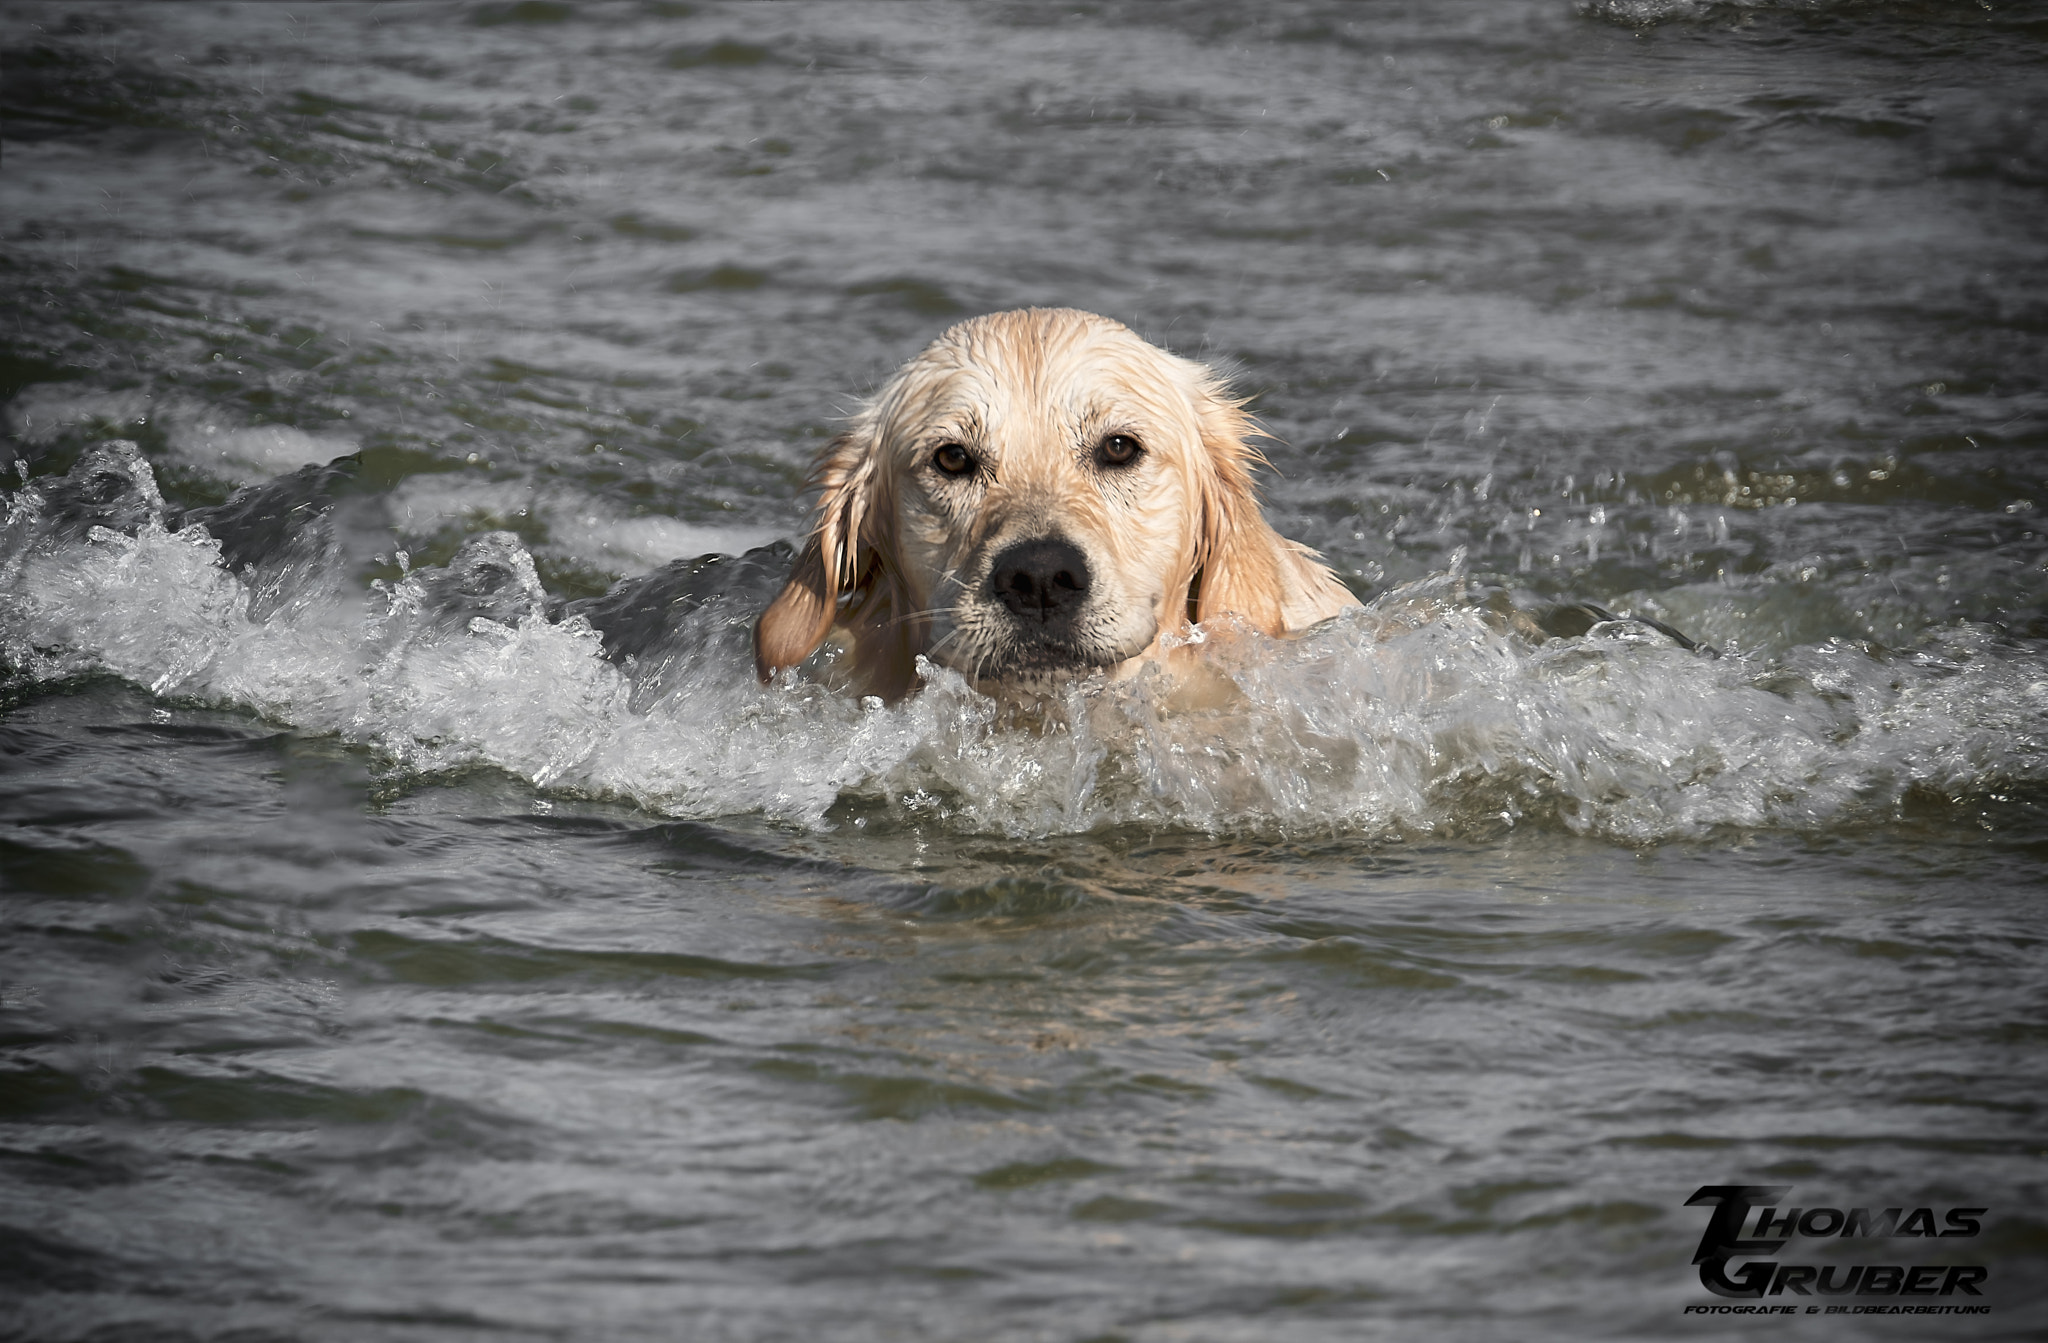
(835, 562)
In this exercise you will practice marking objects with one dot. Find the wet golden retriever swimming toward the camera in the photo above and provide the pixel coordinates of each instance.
(1037, 492)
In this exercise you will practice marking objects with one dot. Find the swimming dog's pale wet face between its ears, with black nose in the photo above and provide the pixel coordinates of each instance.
(1043, 494)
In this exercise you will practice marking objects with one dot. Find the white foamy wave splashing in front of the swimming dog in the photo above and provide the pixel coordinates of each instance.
(1418, 713)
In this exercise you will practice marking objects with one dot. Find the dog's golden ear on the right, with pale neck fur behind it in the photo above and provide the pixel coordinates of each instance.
(1242, 564)
